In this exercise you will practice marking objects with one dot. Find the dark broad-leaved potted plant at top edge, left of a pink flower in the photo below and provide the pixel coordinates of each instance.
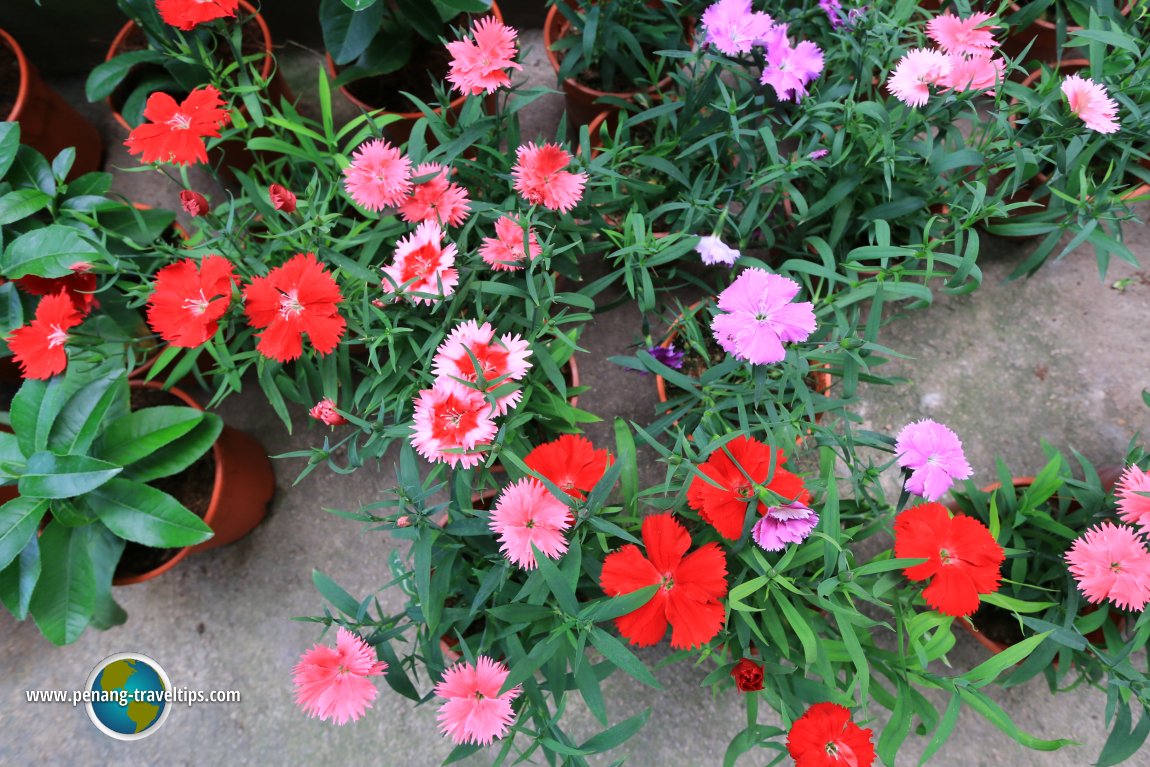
(379, 52)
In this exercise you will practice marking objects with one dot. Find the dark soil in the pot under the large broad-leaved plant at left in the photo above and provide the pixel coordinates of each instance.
(193, 488)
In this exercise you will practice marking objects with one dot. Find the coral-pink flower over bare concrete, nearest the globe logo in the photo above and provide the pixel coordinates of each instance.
(333, 682)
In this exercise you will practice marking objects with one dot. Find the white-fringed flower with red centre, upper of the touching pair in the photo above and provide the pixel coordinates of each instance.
(501, 362)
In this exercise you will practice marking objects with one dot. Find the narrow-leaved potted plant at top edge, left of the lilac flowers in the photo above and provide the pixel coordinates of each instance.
(604, 55)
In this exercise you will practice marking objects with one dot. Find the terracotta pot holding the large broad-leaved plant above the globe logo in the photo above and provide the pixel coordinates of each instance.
(244, 486)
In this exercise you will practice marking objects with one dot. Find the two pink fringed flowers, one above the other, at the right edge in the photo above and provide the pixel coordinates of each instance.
(1111, 562)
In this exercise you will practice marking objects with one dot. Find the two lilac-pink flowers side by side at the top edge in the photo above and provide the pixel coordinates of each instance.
(732, 27)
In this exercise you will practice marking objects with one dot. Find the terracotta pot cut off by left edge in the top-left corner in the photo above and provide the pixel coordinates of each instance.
(48, 124)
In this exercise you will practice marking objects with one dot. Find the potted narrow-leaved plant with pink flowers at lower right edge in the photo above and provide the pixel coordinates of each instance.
(1048, 524)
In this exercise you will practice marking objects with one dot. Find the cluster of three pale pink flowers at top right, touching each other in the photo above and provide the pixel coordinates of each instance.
(964, 60)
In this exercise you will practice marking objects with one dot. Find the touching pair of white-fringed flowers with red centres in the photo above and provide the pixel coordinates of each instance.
(455, 419)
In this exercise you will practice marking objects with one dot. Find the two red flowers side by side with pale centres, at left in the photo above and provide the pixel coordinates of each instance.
(298, 298)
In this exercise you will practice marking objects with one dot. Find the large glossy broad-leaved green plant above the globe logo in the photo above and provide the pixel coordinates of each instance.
(83, 464)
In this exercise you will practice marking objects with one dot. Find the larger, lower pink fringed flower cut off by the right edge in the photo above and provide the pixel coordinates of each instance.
(1113, 563)
